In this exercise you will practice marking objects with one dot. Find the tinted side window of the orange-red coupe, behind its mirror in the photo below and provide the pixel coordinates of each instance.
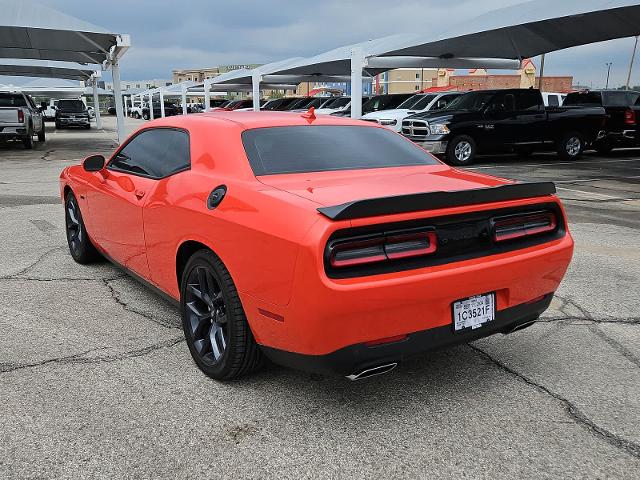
(155, 153)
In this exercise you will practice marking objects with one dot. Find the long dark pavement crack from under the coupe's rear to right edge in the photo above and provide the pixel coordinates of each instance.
(574, 412)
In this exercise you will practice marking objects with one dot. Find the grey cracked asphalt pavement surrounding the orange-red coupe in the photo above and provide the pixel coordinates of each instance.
(96, 379)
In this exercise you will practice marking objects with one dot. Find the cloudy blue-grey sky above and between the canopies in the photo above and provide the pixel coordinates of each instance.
(198, 33)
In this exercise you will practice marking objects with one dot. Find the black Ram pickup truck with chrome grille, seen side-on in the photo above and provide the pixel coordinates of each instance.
(489, 121)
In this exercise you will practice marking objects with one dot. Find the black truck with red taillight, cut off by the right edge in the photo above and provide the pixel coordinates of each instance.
(622, 109)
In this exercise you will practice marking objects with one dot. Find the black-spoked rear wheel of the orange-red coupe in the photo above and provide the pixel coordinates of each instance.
(215, 327)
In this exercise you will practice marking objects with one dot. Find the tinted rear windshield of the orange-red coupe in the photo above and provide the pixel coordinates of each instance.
(321, 148)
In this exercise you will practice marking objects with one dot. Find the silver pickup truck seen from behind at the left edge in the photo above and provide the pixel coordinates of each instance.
(20, 118)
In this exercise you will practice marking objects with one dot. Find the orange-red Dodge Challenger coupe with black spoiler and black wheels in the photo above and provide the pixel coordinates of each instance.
(326, 244)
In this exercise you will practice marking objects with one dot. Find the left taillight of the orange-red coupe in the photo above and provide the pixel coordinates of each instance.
(381, 248)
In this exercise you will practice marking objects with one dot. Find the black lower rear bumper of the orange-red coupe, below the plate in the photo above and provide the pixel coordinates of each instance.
(356, 358)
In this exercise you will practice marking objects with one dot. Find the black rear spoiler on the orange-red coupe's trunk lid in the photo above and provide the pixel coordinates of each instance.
(372, 207)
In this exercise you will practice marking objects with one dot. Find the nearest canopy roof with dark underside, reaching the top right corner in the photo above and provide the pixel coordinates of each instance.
(528, 29)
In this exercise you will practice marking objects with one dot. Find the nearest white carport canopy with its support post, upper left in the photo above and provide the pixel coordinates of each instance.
(29, 30)
